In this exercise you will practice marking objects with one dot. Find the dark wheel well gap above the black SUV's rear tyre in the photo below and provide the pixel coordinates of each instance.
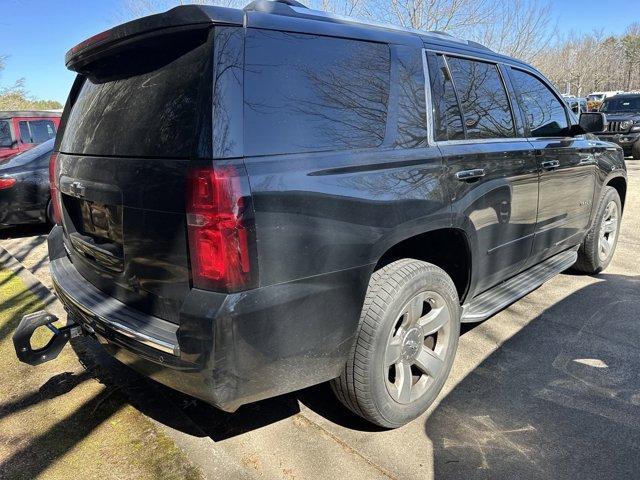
(447, 248)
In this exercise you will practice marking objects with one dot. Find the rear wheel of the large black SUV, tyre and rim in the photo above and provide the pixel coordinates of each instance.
(405, 345)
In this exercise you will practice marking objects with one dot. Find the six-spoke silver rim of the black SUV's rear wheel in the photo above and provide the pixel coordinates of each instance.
(417, 347)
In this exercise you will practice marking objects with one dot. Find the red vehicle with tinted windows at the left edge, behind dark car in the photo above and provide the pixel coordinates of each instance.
(20, 131)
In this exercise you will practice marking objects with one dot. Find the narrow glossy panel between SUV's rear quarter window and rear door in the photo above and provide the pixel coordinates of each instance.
(412, 115)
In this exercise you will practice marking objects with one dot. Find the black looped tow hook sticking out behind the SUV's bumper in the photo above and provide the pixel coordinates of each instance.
(24, 332)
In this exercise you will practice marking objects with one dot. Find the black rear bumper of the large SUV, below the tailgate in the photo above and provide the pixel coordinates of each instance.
(227, 350)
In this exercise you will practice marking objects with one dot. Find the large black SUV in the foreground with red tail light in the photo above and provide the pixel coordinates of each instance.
(250, 202)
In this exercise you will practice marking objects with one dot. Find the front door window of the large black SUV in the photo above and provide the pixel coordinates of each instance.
(543, 111)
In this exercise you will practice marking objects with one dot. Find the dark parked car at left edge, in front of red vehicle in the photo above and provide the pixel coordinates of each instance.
(24, 187)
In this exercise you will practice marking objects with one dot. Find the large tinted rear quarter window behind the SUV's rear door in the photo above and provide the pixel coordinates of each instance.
(308, 93)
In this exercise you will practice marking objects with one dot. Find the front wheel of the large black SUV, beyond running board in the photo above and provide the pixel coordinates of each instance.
(599, 245)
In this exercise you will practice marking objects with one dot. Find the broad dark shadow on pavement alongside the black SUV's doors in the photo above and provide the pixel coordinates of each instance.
(560, 399)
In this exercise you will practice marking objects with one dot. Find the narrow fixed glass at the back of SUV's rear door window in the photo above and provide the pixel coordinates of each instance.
(448, 120)
